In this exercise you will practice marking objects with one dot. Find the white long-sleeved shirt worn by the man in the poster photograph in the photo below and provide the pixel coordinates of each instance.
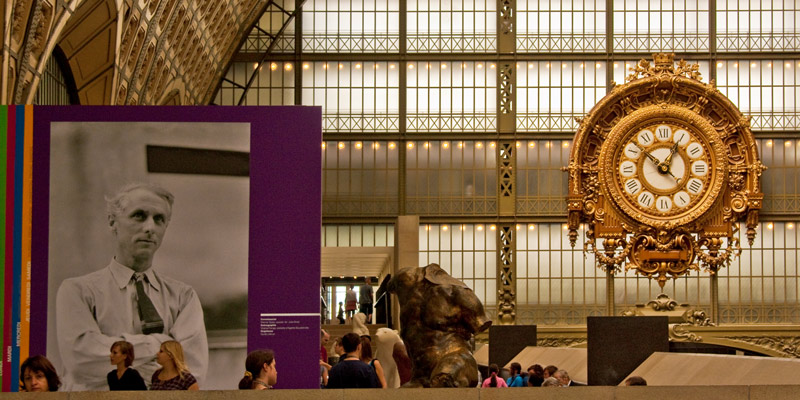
(95, 310)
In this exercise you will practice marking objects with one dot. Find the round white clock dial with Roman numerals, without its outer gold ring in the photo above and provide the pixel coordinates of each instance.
(663, 169)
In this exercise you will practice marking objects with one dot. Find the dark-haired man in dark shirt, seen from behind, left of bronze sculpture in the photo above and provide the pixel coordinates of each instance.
(351, 372)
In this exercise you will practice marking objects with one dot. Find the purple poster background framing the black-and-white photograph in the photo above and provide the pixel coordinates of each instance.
(285, 220)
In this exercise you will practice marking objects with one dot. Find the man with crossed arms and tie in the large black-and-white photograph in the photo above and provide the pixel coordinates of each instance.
(128, 299)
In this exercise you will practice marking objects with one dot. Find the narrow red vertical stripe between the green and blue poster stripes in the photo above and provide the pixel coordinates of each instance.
(8, 253)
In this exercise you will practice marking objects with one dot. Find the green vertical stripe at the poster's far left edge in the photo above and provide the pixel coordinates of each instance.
(4, 121)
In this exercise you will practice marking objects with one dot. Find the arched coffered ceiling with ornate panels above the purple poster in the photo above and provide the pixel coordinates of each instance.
(124, 51)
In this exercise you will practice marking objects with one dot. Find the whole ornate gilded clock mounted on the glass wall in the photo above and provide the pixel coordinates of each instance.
(662, 170)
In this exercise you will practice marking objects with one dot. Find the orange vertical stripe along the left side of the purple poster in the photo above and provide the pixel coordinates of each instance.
(25, 265)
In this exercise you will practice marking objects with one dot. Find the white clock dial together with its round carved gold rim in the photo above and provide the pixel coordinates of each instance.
(663, 166)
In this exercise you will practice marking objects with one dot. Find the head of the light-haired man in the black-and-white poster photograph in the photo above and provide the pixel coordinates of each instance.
(138, 215)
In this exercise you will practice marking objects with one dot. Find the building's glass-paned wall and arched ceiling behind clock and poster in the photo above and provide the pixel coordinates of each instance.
(460, 112)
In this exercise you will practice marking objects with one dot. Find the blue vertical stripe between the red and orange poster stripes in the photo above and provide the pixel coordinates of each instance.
(19, 149)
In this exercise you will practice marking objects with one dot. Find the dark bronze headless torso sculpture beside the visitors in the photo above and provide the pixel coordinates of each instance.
(439, 315)
